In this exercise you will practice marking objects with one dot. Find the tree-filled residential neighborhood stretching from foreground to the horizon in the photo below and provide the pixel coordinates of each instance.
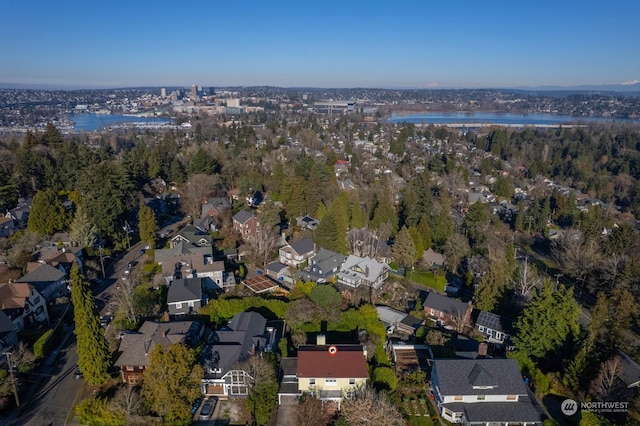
(276, 256)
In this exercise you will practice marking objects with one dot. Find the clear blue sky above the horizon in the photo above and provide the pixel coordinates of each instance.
(348, 43)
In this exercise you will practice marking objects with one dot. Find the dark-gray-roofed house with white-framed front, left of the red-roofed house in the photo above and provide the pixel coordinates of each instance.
(246, 334)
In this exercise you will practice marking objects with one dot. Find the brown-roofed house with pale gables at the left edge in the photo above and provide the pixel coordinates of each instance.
(23, 304)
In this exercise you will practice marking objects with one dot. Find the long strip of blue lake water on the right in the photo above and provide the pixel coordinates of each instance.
(507, 119)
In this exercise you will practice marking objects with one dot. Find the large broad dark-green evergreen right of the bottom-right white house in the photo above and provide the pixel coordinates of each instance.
(548, 322)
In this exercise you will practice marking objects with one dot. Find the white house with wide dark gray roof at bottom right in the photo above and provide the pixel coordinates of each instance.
(483, 391)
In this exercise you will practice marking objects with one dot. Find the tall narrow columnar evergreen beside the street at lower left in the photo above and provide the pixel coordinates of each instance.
(93, 351)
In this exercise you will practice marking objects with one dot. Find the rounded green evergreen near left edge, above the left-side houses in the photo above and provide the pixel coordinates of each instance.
(47, 215)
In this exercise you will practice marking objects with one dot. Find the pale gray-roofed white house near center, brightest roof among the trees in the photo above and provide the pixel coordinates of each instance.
(358, 271)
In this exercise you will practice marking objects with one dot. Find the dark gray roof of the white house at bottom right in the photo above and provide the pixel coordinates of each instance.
(459, 376)
